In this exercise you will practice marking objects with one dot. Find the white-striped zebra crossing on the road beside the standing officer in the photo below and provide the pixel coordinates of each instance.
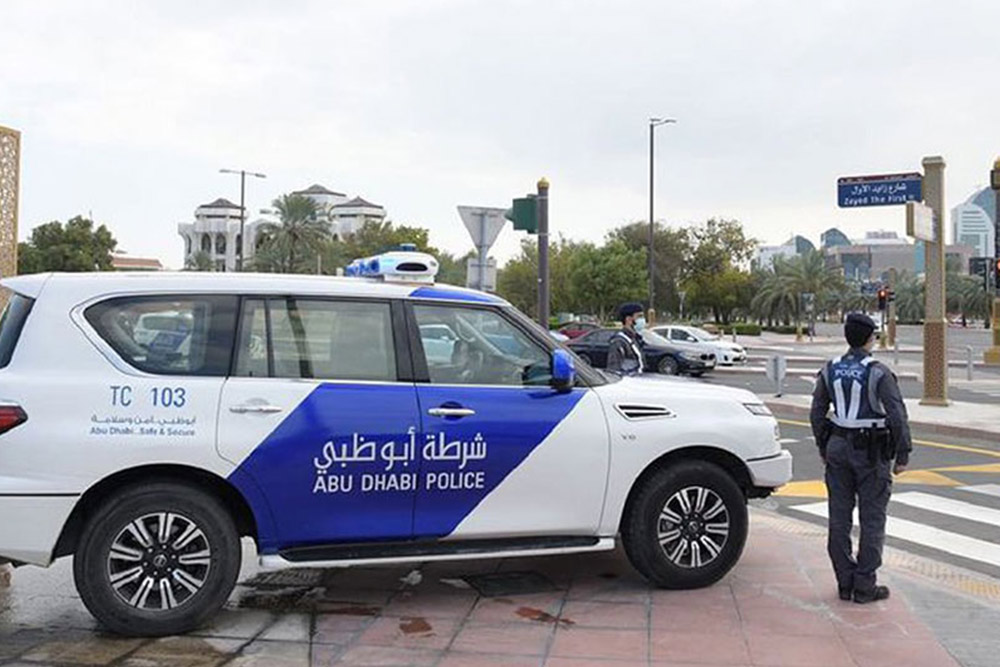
(962, 522)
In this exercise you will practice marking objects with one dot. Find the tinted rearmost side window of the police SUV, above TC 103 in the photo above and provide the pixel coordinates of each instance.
(169, 335)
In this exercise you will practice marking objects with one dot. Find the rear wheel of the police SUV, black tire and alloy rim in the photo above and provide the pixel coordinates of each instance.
(131, 522)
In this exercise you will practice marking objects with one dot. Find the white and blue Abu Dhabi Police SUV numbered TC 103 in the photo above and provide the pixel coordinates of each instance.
(149, 421)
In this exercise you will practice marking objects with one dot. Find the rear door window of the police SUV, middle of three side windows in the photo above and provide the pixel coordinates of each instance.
(316, 338)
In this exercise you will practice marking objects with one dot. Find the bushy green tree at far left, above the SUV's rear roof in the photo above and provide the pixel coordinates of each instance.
(75, 246)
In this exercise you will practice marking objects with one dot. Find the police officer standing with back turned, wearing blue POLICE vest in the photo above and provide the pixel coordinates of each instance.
(864, 441)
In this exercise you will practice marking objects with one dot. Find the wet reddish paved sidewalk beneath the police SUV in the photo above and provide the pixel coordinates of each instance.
(777, 608)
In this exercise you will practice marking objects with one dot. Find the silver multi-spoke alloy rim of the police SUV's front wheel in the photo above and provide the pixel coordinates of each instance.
(693, 527)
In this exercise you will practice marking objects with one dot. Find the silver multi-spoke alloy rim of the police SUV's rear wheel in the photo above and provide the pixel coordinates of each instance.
(159, 561)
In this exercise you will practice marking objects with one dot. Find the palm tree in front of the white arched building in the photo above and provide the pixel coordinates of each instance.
(292, 245)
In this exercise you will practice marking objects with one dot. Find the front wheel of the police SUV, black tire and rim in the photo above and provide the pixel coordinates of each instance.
(645, 524)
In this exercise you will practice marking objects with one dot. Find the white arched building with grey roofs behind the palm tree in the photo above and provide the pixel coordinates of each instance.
(216, 227)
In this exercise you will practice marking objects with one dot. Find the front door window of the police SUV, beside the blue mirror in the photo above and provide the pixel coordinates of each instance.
(487, 348)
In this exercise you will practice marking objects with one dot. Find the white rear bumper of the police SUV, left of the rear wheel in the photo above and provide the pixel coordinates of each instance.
(30, 526)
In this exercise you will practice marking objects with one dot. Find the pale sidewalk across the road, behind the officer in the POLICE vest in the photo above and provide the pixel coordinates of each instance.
(960, 419)
